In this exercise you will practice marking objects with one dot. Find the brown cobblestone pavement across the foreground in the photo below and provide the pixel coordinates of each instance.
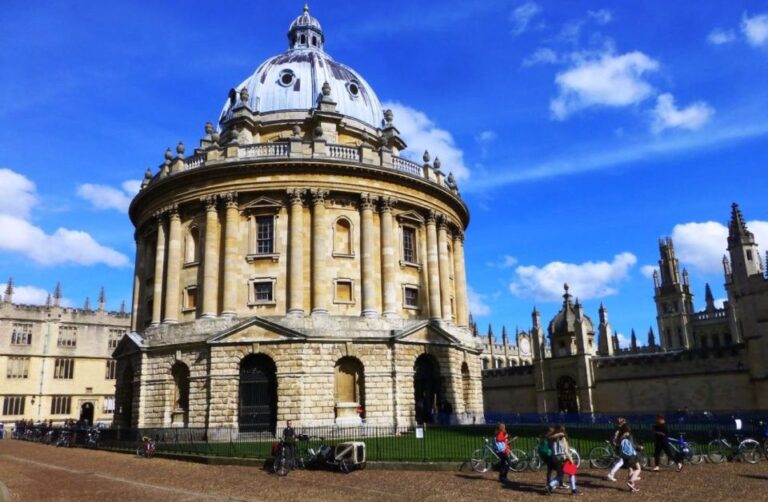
(34, 472)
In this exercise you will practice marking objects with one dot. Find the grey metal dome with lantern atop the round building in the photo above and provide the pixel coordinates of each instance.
(294, 80)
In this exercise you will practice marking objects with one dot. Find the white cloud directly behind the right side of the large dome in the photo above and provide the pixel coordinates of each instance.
(421, 133)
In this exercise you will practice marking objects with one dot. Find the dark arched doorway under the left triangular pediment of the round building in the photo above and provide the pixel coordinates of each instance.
(258, 394)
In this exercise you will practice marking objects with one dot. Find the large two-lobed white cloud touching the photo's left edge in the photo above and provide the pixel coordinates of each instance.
(23, 237)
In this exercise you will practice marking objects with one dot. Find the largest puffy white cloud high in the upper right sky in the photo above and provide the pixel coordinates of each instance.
(609, 80)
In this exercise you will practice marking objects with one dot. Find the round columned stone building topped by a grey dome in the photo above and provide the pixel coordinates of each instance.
(297, 267)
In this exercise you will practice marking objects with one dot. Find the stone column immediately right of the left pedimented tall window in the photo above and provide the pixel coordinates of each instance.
(296, 253)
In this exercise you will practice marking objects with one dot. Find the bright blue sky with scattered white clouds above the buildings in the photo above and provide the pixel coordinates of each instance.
(581, 132)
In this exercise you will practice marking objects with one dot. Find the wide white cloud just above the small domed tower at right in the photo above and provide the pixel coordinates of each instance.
(587, 280)
